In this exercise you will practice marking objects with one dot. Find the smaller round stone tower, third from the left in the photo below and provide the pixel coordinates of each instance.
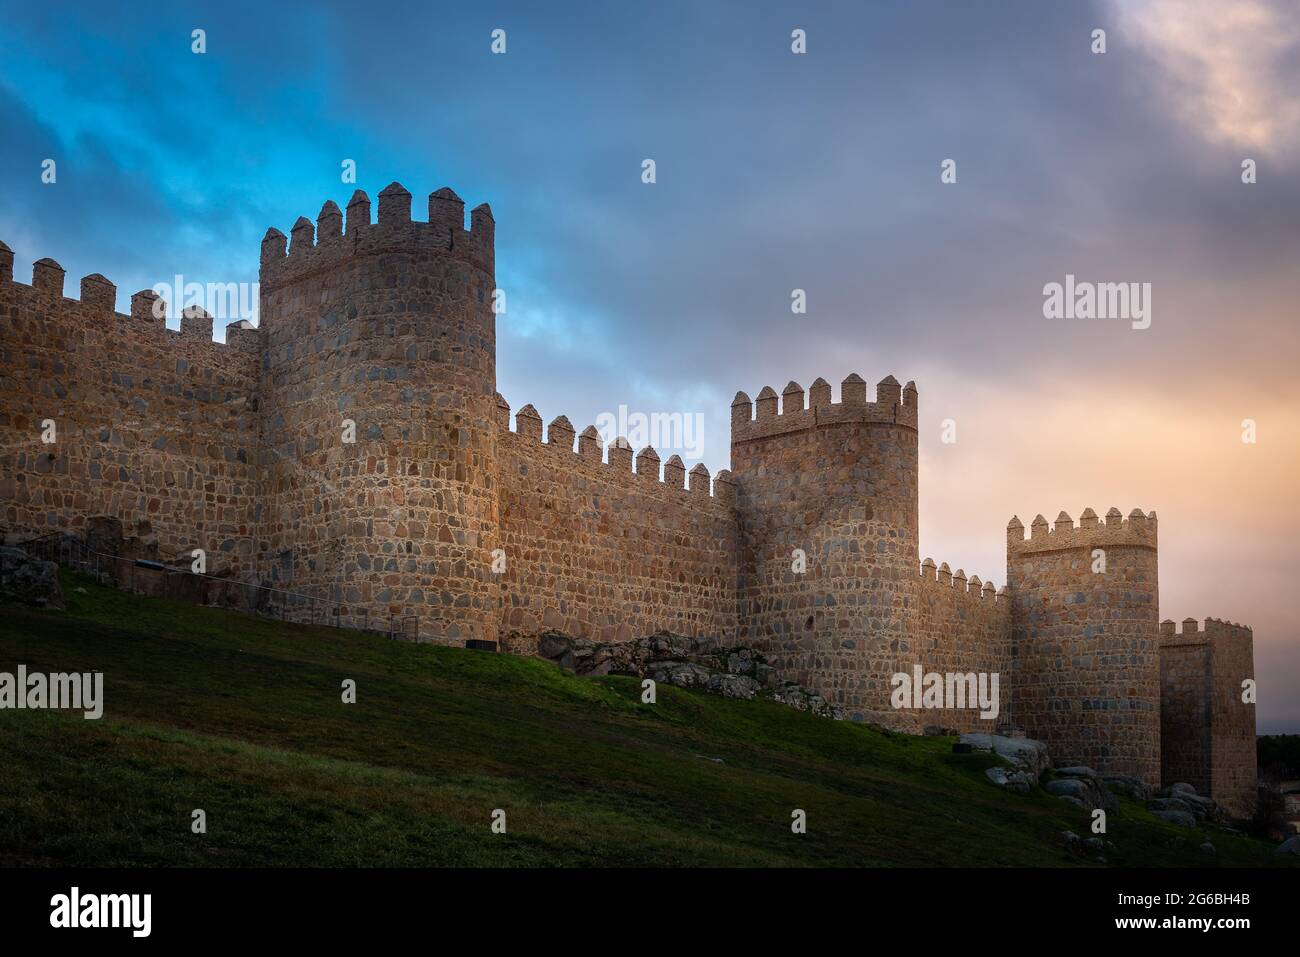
(1086, 640)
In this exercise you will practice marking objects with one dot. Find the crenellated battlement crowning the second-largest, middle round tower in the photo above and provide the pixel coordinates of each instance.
(770, 415)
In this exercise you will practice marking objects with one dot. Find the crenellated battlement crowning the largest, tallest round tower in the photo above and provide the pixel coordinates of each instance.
(326, 245)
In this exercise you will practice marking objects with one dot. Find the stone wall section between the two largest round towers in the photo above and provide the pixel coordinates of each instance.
(599, 551)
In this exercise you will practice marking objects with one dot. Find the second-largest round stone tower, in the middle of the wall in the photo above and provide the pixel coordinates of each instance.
(827, 503)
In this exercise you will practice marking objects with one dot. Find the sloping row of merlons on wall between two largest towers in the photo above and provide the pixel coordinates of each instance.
(617, 461)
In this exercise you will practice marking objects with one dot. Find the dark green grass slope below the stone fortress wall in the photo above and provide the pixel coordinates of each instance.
(242, 717)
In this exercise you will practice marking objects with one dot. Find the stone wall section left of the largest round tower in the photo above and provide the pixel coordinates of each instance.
(157, 430)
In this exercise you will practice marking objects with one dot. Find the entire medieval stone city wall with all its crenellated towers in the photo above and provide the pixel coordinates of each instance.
(354, 449)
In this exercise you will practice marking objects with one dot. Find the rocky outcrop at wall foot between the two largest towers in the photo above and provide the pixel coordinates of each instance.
(666, 659)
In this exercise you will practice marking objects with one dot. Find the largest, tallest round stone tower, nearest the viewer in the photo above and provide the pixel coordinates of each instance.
(379, 392)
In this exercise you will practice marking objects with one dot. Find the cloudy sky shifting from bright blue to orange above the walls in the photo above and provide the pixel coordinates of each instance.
(774, 171)
